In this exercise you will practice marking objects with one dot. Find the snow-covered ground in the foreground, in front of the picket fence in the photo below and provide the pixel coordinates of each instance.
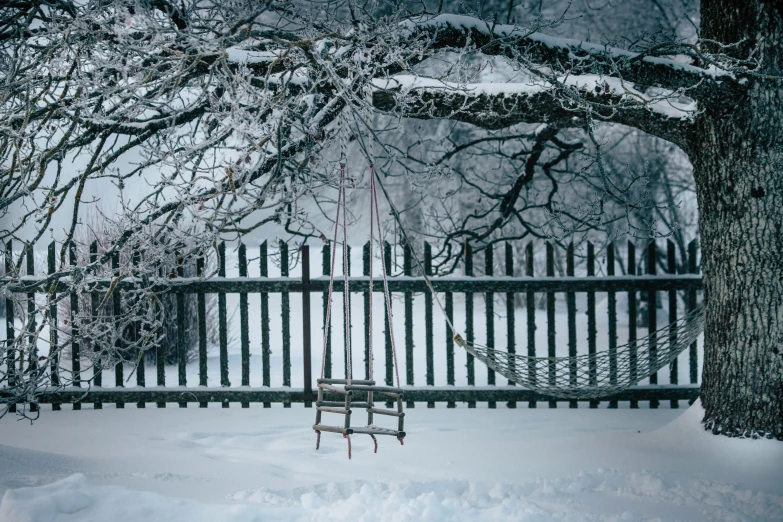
(258, 464)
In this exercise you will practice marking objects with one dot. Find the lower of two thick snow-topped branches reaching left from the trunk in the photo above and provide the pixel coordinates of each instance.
(568, 101)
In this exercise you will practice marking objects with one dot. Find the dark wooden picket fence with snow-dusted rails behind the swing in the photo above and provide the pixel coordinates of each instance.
(647, 286)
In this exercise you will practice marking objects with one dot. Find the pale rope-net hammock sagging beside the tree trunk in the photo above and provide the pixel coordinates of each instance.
(599, 374)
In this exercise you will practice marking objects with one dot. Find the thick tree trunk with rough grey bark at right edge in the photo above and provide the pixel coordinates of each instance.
(737, 153)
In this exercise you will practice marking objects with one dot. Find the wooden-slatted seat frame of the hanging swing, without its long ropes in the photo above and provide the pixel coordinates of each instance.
(365, 389)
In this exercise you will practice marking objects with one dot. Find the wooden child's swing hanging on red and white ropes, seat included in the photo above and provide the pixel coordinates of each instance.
(358, 394)
